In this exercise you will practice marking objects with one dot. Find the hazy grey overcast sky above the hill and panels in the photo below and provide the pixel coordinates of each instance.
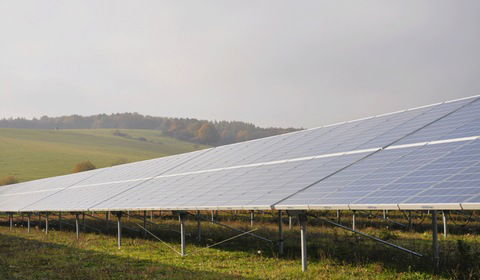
(271, 63)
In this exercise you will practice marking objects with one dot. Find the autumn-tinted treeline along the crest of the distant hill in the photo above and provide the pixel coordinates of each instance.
(197, 131)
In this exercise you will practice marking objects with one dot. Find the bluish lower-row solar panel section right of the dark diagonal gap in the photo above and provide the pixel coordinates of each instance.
(428, 174)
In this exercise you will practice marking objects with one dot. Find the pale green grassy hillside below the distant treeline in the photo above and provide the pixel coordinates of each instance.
(32, 154)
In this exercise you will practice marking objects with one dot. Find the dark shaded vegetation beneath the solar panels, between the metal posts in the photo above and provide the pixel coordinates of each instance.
(457, 260)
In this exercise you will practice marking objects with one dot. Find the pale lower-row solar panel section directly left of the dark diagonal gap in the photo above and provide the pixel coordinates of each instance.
(238, 188)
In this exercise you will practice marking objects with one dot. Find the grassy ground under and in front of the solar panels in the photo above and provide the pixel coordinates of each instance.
(333, 254)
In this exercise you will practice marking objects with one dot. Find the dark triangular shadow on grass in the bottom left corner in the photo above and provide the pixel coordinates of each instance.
(22, 258)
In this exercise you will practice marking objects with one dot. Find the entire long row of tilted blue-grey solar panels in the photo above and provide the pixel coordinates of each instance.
(427, 157)
